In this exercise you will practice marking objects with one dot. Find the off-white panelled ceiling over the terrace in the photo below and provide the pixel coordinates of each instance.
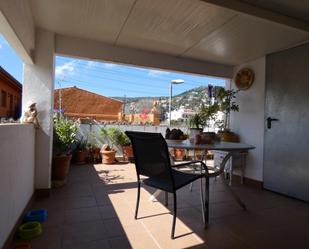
(185, 28)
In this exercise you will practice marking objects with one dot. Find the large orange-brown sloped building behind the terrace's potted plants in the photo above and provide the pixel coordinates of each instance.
(79, 103)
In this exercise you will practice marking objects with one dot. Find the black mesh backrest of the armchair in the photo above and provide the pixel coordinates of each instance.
(151, 155)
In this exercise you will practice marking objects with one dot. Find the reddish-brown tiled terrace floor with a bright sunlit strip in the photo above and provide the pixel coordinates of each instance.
(95, 210)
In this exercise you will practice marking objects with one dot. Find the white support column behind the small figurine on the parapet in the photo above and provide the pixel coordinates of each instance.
(38, 86)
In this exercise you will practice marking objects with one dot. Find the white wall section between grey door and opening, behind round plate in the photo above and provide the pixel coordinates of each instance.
(249, 122)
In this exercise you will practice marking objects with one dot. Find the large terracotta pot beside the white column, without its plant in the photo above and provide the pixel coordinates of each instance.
(60, 167)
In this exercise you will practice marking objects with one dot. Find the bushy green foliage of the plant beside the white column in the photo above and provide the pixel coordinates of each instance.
(64, 135)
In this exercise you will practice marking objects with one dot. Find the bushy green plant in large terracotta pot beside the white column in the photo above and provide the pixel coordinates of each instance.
(64, 136)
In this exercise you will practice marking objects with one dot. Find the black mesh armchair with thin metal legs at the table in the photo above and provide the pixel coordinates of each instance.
(152, 160)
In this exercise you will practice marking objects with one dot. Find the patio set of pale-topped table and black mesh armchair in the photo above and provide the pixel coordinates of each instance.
(153, 161)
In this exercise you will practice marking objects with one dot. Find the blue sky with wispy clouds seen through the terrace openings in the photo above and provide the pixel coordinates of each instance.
(107, 78)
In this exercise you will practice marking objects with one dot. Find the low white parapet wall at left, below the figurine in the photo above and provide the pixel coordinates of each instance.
(16, 173)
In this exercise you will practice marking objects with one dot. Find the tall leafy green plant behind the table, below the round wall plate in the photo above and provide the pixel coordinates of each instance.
(226, 102)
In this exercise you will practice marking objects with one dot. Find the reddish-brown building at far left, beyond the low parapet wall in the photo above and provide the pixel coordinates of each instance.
(10, 96)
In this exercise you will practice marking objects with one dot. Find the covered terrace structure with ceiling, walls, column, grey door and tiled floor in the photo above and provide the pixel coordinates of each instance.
(209, 37)
